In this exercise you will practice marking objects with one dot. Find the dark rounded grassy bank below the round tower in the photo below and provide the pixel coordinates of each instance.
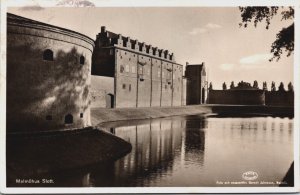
(29, 155)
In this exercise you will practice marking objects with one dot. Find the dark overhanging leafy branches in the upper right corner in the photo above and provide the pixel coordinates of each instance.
(284, 38)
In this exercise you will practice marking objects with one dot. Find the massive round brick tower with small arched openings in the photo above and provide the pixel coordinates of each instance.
(48, 76)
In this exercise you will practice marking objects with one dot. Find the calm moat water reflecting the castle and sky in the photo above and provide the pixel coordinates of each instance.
(194, 151)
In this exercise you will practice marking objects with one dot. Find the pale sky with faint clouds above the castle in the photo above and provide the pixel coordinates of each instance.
(195, 34)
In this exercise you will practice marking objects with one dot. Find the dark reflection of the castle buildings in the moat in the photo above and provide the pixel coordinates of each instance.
(156, 145)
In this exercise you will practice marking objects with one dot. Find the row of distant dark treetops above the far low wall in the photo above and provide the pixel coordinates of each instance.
(246, 85)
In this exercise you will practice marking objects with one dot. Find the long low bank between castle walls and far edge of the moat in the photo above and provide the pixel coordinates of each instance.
(101, 115)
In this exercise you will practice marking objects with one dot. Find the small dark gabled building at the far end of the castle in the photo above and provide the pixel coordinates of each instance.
(196, 84)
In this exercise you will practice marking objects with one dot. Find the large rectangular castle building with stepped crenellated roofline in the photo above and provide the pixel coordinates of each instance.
(143, 76)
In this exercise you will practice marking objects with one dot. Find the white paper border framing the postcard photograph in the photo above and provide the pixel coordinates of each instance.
(152, 3)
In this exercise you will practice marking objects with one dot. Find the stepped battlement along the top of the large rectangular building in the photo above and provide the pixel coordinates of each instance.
(107, 38)
